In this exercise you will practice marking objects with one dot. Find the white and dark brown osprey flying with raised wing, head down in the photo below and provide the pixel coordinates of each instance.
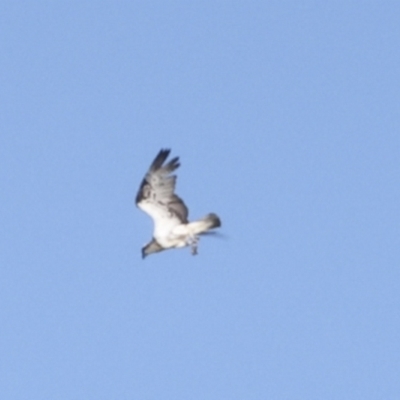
(156, 198)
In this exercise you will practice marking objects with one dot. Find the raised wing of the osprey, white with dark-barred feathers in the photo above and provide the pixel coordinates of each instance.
(156, 195)
